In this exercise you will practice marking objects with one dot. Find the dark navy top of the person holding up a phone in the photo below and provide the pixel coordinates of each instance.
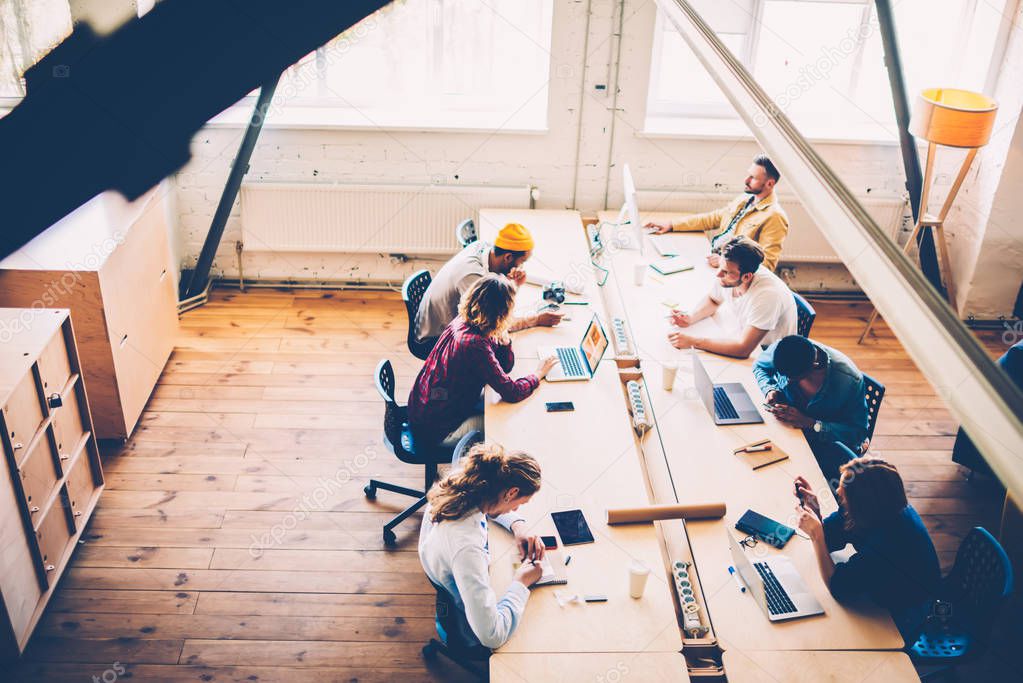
(895, 565)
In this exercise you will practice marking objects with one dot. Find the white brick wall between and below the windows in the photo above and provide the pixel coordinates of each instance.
(548, 161)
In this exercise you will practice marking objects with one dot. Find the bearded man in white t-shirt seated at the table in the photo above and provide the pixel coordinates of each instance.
(763, 304)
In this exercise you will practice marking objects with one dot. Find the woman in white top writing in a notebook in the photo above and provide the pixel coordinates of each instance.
(454, 545)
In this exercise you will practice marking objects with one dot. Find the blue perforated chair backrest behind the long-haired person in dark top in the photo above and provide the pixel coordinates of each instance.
(981, 580)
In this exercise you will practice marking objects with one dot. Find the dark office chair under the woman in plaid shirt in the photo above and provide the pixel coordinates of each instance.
(398, 438)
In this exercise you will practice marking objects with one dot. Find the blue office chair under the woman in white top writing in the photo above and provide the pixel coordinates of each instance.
(458, 643)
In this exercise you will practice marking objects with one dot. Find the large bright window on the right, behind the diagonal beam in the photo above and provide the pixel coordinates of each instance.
(823, 62)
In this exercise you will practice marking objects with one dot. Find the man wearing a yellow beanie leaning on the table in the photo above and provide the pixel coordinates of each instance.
(511, 250)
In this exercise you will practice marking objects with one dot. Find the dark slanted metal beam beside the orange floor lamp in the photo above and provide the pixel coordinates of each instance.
(911, 160)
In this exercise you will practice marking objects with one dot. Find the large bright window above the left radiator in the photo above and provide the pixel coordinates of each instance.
(428, 63)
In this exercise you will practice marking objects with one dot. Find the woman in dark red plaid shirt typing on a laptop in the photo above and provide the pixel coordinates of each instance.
(473, 352)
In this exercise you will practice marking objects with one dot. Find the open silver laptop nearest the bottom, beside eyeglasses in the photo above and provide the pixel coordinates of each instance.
(776, 585)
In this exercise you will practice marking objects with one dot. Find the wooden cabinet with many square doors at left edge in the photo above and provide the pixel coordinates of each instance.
(52, 478)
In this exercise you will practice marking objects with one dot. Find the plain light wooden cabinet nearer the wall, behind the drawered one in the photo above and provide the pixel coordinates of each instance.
(109, 262)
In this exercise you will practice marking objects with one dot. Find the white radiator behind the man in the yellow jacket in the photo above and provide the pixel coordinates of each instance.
(805, 244)
